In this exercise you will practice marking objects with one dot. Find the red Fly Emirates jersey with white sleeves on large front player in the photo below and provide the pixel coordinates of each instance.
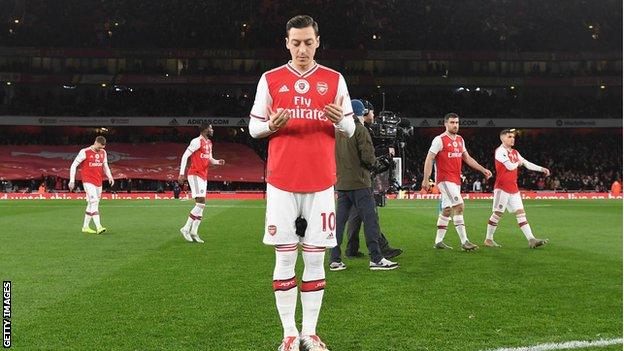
(301, 154)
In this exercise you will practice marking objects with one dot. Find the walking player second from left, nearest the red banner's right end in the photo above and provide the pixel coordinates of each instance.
(199, 152)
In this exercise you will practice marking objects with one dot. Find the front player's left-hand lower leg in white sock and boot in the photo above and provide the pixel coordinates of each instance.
(285, 288)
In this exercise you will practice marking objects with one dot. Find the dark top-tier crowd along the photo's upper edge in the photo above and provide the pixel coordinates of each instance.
(531, 25)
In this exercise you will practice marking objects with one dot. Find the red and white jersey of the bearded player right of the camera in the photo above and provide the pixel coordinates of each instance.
(448, 160)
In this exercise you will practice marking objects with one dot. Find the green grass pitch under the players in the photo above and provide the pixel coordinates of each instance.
(141, 287)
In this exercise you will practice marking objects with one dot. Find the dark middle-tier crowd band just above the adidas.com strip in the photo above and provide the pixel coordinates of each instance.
(200, 101)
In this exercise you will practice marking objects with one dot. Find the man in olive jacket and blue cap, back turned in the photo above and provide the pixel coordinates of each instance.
(355, 157)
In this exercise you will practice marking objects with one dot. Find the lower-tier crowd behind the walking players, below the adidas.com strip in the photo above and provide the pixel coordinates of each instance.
(588, 161)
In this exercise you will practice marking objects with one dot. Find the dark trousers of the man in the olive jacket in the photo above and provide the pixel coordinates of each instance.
(364, 203)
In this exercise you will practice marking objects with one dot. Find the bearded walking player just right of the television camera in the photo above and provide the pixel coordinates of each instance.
(449, 150)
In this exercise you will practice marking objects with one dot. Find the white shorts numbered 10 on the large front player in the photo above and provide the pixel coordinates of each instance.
(283, 208)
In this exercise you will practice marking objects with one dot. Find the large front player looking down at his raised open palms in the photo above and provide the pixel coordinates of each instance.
(298, 106)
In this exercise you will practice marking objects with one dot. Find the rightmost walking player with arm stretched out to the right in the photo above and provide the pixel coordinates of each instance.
(506, 192)
